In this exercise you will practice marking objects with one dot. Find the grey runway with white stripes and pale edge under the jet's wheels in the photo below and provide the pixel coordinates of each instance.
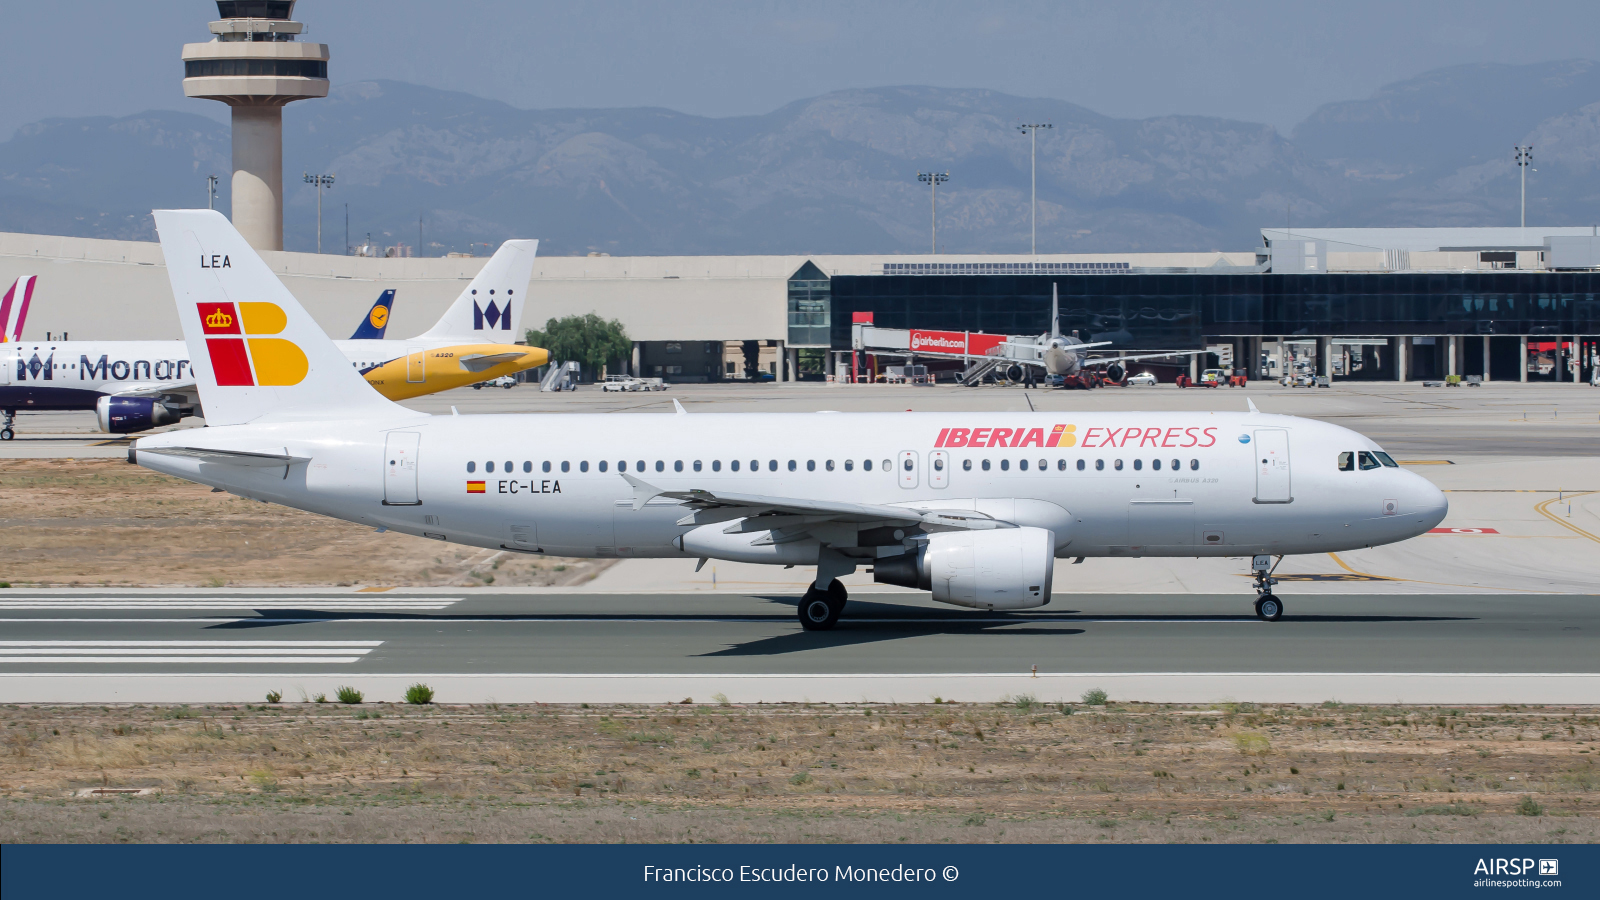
(666, 648)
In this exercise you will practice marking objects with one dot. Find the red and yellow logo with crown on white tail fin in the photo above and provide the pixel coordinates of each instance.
(250, 360)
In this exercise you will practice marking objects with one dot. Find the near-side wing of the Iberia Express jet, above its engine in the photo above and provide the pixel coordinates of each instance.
(762, 513)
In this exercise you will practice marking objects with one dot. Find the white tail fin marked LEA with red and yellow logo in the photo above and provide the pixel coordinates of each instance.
(257, 353)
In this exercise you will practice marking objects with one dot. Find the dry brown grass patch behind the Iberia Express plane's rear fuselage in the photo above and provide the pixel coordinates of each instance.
(103, 523)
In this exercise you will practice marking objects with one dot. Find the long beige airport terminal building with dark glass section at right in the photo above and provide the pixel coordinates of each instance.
(1500, 303)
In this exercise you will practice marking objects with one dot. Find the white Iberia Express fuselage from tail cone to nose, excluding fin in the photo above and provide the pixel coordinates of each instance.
(1151, 484)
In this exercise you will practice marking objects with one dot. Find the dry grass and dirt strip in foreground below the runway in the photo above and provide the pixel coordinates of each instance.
(1014, 773)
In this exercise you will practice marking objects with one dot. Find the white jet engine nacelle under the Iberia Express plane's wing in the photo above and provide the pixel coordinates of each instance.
(1004, 569)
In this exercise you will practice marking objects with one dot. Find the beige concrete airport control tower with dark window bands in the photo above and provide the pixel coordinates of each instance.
(257, 65)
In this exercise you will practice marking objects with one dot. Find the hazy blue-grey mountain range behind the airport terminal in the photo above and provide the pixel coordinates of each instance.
(838, 174)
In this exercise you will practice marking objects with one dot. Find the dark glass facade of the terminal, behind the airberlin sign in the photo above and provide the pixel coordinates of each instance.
(1182, 311)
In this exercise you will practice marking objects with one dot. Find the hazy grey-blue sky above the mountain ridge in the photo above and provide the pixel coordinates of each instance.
(1263, 62)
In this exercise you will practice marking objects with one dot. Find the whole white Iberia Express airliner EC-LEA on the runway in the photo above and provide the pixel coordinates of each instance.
(974, 508)
